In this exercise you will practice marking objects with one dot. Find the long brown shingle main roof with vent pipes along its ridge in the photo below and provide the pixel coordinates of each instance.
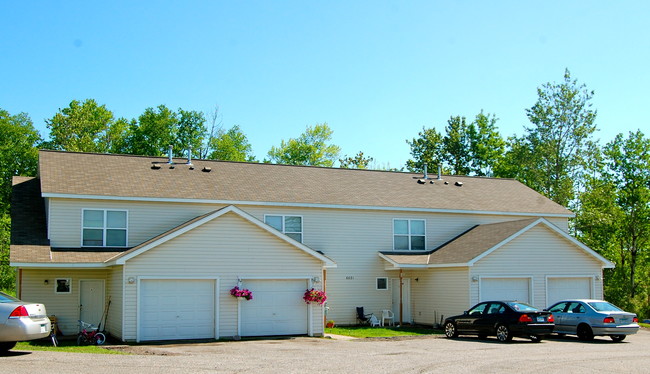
(133, 177)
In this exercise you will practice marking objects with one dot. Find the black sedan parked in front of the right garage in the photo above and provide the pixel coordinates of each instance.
(503, 319)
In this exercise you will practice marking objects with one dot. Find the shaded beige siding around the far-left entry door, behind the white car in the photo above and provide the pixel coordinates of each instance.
(64, 306)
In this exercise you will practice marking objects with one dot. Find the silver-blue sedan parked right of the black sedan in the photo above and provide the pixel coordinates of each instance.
(588, 318)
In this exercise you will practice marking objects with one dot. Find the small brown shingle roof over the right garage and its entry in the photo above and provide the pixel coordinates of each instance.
(464, 247)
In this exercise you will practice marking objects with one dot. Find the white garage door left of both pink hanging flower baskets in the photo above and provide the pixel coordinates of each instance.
(172, 309)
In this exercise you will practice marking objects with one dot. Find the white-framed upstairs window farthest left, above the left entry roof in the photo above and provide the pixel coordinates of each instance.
(104, 228)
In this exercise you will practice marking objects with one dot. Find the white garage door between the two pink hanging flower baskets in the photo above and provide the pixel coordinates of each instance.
(277, 308)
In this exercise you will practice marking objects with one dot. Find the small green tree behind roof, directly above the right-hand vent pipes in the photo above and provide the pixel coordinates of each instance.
(427, 148)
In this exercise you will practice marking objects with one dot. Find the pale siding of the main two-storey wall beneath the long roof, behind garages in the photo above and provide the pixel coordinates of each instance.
(350, 237)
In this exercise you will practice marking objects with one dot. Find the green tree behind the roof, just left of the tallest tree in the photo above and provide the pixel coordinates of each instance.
(486, 146)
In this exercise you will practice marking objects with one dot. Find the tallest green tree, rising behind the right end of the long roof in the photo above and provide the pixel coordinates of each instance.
(553, 154)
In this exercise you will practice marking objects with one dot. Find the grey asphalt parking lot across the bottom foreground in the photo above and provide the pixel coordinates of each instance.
(301, 355)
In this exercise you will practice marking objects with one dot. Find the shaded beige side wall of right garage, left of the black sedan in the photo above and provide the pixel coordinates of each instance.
(438, 293)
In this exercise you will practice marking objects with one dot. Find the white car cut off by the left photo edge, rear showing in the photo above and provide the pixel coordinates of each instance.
(21, 321)
